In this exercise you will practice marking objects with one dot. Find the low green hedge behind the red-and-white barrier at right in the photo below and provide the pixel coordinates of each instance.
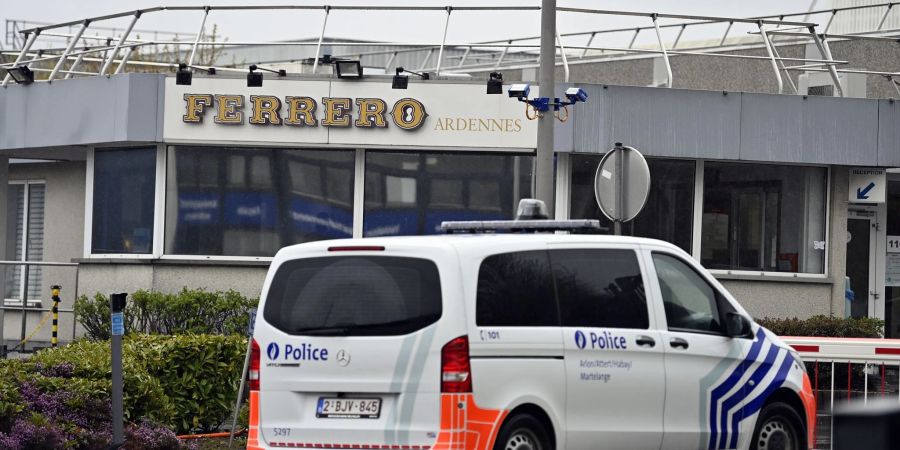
(826, 326)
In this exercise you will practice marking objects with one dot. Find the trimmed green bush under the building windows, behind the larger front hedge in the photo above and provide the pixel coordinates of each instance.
(193, 311)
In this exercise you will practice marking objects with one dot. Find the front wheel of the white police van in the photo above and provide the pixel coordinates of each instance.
(779, 428)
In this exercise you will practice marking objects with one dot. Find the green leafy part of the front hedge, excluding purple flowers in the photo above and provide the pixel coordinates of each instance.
(186, 383)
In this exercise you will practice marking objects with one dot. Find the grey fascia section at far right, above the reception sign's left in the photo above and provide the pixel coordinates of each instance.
(815, 130)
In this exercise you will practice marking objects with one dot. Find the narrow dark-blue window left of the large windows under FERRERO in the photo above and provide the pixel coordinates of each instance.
(124, 200)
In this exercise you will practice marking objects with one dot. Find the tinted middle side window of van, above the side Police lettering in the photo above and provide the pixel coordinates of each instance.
(600, 288)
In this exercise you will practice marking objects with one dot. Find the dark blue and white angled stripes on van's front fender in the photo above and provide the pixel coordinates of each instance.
(744, 391)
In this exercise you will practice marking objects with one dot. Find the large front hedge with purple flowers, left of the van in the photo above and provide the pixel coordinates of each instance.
(59, 398)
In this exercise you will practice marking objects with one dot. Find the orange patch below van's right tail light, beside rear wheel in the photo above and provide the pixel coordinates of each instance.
(465, 426)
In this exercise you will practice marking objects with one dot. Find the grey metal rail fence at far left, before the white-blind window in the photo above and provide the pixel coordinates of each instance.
(33, 314)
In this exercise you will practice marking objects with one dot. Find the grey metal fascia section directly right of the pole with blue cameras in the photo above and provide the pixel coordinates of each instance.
(662, 122)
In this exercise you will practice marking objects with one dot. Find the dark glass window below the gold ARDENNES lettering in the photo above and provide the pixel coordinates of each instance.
(412, 193)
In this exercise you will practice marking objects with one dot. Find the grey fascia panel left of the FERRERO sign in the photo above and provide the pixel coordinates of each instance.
(81, 111)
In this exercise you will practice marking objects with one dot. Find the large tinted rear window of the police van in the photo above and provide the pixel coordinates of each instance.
(354, 296)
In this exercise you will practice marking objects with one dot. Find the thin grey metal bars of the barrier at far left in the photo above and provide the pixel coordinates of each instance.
(29, 307)
